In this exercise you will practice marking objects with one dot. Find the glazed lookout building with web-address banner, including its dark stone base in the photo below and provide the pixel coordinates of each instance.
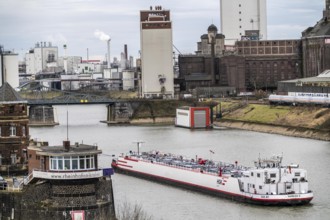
(64, 182)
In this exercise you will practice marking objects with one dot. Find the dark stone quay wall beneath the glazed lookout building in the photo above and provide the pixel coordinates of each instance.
(57, 199)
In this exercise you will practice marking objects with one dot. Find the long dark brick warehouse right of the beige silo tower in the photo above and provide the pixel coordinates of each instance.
(253, 65)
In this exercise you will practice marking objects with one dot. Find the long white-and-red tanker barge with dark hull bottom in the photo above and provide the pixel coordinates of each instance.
(268, 183)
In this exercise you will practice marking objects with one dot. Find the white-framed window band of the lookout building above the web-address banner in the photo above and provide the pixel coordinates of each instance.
(72, 162)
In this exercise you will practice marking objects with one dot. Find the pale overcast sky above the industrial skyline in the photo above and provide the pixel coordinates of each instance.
(74, 22)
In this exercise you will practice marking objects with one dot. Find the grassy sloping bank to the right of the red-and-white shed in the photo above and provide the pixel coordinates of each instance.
(304, 121)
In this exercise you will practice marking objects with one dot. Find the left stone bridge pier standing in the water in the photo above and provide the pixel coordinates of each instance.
(41, 115)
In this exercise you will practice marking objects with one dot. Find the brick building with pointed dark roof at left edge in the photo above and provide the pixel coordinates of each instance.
(14, 131)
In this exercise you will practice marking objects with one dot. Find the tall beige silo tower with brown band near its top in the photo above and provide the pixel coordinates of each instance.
(156, 53)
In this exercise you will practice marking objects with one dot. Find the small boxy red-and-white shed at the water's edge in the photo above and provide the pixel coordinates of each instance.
(193, 117)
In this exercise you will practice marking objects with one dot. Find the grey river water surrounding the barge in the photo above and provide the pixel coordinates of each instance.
(167, 202)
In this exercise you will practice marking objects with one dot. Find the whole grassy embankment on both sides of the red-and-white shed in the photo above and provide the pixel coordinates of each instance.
(307, 122)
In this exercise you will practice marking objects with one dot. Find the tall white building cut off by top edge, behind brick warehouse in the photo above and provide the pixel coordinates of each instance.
(243, 19)
